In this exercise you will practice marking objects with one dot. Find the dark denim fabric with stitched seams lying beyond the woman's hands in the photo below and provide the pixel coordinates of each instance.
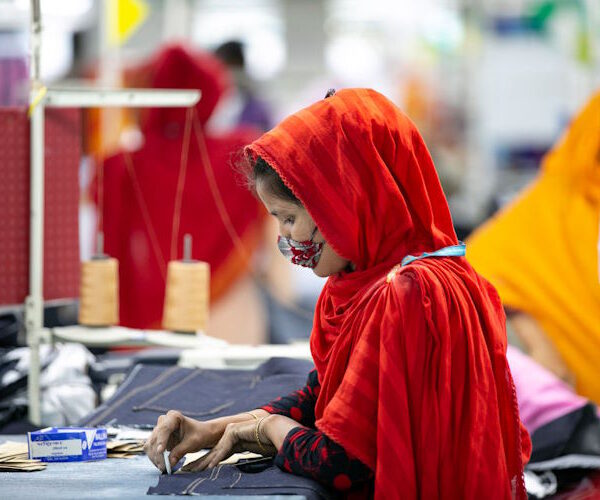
(149, 391)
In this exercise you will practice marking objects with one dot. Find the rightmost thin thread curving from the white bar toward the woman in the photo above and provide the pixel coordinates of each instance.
(233, 234)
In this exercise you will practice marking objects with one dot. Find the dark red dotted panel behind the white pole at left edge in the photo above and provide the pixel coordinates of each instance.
(61, 240)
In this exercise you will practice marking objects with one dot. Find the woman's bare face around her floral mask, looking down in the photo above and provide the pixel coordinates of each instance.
(295, 223)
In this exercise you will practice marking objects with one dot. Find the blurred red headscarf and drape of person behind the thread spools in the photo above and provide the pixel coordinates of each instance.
(139, 233)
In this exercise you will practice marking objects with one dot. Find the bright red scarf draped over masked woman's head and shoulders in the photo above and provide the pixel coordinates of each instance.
(411, 360)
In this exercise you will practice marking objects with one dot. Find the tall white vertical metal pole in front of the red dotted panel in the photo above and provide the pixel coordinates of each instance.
(34, 311)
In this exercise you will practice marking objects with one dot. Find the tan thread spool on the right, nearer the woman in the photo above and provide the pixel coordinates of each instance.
(187, 293)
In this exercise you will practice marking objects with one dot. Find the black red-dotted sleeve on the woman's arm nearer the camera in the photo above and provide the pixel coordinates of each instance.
(311, 453)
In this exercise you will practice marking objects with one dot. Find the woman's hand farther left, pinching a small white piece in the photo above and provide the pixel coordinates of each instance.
(180, 435)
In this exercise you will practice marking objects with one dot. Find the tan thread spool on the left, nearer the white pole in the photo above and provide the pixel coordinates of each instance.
(99, 290)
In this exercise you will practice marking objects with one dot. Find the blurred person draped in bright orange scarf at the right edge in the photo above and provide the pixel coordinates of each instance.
(541, 254)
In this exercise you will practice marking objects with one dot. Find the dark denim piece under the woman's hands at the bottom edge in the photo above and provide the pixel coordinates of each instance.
(256, 478)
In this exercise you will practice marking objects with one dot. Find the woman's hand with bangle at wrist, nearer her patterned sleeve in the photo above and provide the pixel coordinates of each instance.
(239, 437)
